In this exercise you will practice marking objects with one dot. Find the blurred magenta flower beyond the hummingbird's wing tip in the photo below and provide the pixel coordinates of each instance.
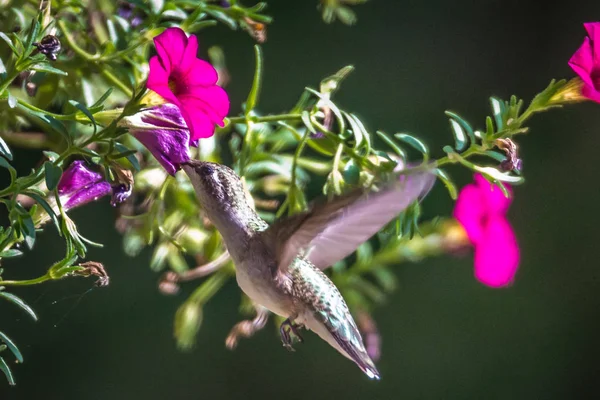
(481, 210)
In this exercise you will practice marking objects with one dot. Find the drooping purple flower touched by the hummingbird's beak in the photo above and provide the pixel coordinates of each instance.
(164, 132)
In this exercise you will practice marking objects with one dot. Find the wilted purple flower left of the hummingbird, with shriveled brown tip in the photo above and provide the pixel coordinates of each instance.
(79, 185)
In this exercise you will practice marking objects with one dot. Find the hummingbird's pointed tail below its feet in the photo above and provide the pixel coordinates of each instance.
(343, 335)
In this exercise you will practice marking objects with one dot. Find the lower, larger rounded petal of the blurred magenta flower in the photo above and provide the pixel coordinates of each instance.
(497, 254)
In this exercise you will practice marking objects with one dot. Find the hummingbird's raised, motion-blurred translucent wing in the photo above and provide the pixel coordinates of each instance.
(331, 231)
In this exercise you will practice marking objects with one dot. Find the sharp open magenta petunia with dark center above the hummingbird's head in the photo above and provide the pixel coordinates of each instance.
(181, 78)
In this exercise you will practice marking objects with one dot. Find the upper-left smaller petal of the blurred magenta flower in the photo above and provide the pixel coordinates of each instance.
(470, 210)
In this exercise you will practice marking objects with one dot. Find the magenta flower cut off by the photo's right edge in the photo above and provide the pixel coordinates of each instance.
(586, 62)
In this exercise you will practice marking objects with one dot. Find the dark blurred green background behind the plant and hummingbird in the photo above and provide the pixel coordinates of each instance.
(445, 336)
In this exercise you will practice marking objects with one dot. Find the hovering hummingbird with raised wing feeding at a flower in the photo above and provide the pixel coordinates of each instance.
(280, 266)
